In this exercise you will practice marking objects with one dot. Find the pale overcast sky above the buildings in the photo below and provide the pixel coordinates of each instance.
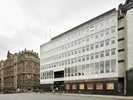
(30, 23)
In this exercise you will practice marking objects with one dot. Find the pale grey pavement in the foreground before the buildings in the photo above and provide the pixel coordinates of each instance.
(46, 96)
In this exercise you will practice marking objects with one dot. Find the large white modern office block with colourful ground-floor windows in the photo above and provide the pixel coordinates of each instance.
(92, 57)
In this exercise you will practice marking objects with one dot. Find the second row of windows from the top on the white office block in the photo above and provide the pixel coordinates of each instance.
(84, 40)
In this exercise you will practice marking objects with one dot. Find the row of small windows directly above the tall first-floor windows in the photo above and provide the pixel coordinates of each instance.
(92, 56)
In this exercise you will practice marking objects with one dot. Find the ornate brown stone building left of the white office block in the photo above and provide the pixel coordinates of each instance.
(20, 72)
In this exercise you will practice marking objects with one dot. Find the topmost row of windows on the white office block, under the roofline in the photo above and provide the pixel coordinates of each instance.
(85, 29)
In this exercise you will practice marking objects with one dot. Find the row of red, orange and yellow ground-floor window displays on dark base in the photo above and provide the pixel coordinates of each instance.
(90, 86)
